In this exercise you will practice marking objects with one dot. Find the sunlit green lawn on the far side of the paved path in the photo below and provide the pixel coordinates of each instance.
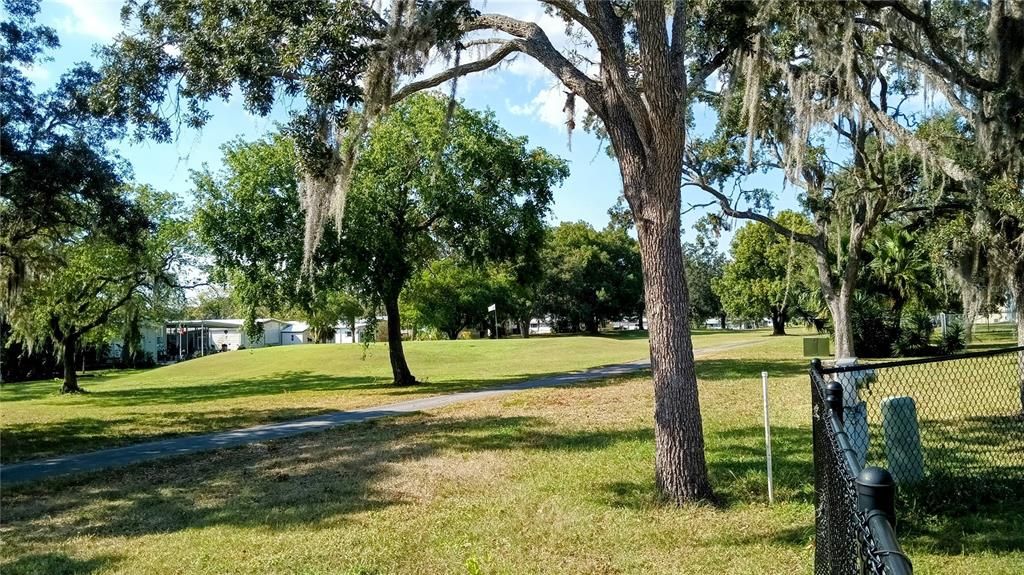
(252, 387)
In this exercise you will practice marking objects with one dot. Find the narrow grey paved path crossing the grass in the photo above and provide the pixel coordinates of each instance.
(120, 457)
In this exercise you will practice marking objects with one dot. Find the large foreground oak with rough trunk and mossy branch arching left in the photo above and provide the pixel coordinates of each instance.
(342, 55)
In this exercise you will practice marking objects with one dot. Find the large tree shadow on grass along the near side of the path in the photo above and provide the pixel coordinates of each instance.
(313, 479)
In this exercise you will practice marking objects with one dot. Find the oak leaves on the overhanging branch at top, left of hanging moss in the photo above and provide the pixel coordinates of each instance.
(194, 52)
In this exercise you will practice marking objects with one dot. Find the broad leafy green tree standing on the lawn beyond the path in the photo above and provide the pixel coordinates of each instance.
(421, 191)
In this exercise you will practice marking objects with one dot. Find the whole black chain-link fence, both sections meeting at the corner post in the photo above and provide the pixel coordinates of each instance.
(946, 429)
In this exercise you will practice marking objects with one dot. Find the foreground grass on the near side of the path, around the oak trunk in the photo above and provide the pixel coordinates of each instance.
(545, 481)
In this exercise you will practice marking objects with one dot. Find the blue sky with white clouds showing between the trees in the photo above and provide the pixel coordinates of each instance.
(524, 97)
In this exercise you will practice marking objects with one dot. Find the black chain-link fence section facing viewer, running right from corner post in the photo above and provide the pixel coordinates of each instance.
(935, 420)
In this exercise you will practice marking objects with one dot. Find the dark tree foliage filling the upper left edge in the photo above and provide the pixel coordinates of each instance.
(60, 181)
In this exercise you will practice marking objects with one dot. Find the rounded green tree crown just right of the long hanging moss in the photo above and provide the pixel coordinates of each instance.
(419, 193)
